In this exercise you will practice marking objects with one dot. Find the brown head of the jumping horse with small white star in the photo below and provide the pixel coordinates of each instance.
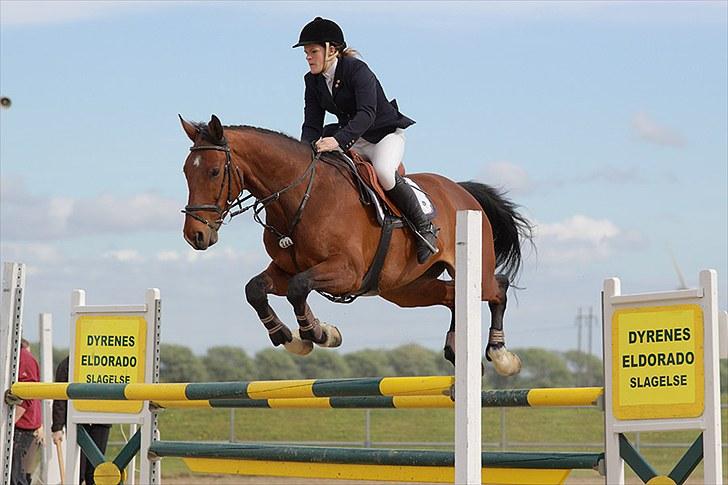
(212, 181)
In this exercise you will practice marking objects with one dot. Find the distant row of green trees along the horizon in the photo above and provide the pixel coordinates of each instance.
(541, 367)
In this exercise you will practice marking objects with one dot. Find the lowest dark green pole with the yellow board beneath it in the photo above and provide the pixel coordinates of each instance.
(506, 468)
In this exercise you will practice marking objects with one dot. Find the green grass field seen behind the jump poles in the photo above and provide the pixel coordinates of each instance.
(566, 429)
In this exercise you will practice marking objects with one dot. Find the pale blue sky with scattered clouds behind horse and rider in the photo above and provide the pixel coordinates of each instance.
(607, 122)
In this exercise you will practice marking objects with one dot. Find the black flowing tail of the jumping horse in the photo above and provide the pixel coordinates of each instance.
(509, 226)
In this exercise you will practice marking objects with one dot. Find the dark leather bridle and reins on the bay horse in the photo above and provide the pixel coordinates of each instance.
(226, 213)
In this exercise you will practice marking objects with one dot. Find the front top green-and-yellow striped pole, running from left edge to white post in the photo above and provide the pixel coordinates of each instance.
(284, 389)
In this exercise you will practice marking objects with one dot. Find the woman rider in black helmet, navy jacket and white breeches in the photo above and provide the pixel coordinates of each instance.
(344, 85)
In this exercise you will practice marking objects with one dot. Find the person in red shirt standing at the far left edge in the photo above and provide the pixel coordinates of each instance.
(28, 430)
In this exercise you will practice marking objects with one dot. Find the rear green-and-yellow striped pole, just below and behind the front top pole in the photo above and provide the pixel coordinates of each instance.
(555, 397)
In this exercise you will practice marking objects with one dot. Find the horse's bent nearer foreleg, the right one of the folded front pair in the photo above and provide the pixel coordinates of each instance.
(331, 276)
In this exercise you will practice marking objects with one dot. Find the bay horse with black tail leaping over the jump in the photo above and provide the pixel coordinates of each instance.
(320, 237)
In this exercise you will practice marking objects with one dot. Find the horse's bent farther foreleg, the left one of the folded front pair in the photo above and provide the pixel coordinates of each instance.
(273, 281)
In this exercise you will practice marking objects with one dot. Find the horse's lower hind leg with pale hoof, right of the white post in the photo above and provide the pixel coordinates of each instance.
(506, 362)
